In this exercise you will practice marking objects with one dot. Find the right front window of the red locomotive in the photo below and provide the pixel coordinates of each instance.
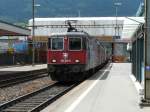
(75, 44)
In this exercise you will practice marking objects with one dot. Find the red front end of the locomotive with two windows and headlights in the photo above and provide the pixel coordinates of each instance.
(66, 55)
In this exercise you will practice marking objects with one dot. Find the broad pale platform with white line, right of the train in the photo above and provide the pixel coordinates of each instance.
(109, 90)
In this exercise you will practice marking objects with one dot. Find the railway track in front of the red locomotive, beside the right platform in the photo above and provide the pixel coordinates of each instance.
(36, 101)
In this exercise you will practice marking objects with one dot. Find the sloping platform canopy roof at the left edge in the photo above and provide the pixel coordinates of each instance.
(8, 29)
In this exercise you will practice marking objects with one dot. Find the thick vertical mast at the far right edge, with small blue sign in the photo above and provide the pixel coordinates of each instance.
(147, 51)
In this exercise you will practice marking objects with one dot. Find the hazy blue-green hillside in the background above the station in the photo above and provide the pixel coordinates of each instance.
(21, 10)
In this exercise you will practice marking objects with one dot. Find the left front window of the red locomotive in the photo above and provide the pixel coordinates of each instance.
(57, 43)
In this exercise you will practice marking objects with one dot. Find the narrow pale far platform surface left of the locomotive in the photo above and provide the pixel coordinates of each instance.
(24, 68)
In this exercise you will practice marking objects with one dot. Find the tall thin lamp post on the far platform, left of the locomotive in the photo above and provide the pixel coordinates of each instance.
(33, 31)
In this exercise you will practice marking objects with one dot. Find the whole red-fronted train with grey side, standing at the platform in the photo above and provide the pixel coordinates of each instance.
(73, 55)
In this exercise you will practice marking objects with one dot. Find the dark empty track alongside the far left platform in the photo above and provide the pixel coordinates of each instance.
(15, 79)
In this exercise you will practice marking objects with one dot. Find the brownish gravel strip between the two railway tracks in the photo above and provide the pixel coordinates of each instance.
(9, 93)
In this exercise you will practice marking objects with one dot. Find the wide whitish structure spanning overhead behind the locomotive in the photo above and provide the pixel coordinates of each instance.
(105, 28)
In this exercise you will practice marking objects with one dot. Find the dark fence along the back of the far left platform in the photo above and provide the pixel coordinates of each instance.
(22, 58)
